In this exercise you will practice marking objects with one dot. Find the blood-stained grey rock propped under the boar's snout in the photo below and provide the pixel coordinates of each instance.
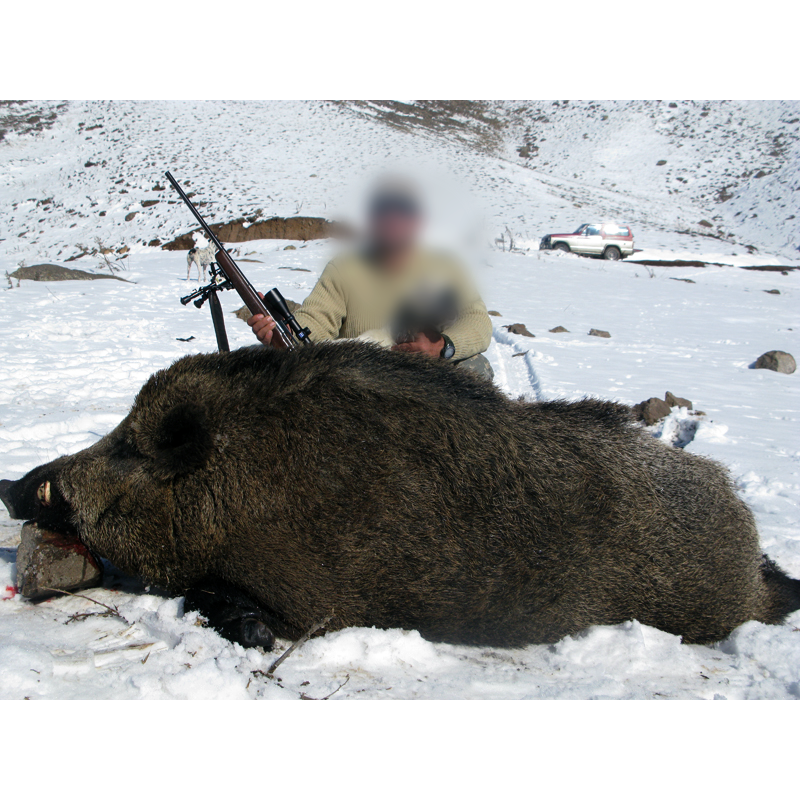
(48, 561)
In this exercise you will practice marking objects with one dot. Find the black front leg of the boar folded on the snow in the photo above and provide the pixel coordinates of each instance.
(231, 613)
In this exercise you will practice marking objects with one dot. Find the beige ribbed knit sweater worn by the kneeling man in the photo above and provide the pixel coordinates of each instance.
(353, 296)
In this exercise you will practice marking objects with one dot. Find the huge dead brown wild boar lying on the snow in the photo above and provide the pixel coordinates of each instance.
(393, 490)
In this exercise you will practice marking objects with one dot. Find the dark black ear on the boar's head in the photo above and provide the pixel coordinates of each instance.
(182, 440)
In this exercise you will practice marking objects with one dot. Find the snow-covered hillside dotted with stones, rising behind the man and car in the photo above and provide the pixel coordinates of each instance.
(95, 170)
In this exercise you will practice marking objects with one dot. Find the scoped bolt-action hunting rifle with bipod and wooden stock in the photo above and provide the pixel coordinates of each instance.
(226, 275)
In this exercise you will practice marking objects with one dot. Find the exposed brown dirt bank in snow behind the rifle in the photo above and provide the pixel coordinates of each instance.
(243, 230)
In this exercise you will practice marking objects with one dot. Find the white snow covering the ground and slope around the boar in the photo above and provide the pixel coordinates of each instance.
(75, 353)
